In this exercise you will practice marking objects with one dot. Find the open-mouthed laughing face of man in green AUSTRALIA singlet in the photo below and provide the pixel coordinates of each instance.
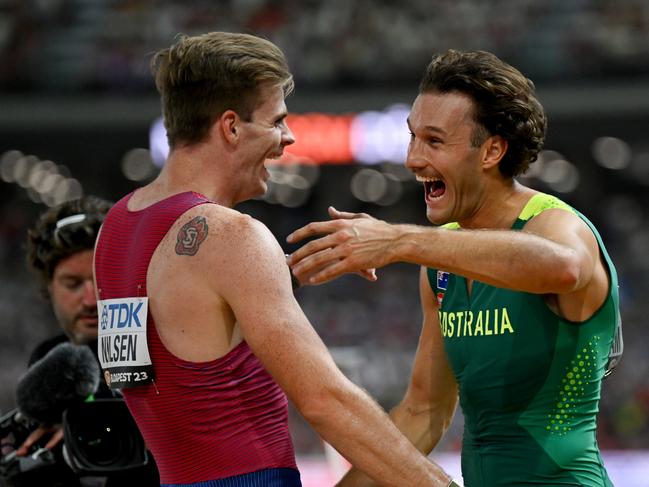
(442, 156)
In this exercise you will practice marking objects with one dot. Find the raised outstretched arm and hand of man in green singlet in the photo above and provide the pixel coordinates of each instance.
(555, 254)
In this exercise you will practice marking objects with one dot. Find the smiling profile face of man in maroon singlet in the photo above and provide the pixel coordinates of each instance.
(263, 137)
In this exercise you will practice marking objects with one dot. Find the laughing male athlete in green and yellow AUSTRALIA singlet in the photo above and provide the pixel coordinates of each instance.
(519, 295)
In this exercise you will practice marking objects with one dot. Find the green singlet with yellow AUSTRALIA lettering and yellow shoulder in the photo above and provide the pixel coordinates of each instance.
(529, 381)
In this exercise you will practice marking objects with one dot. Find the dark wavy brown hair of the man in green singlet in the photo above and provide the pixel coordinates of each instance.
(504, 99)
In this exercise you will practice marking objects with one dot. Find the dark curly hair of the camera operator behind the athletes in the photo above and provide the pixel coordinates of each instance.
(48, 244)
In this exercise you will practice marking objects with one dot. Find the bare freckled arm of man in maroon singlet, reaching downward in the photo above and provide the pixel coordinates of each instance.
(254, 280)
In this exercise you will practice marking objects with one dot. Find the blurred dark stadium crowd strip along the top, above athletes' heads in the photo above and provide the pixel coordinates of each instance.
(98, 44)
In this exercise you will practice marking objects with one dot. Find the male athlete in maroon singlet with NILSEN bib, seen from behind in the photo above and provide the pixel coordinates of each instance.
(189, 290)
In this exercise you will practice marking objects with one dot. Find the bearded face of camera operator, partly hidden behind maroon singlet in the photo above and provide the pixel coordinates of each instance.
(73, 297)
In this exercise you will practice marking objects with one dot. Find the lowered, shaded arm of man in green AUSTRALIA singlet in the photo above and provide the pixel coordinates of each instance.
(428, 406)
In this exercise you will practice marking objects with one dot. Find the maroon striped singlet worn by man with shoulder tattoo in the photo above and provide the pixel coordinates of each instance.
(221, 423)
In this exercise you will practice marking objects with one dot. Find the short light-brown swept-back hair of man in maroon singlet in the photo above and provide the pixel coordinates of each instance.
(201, 77)
